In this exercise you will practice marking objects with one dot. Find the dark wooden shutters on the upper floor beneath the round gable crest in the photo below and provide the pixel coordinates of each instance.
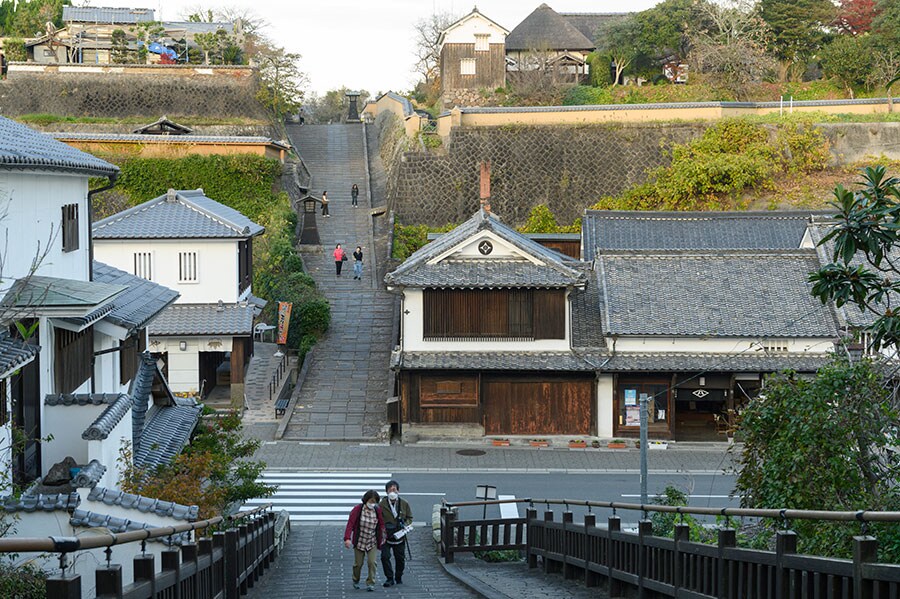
(495, 313)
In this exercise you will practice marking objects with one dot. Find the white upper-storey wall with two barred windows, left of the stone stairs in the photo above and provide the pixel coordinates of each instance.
(217, 265)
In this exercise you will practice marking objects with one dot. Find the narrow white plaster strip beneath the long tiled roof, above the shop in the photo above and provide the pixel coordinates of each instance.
(725, 345)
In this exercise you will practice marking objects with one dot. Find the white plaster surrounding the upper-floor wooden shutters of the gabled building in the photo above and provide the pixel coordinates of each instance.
(413, 328)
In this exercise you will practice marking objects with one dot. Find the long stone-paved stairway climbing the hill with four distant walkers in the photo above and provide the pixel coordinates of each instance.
(344, 395)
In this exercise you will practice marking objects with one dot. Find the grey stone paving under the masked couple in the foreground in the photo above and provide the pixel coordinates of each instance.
(315, 564)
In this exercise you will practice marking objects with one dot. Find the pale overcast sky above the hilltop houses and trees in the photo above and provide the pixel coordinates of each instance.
(365, 44)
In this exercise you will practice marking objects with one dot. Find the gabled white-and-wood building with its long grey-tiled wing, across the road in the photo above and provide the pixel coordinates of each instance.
(689, 309)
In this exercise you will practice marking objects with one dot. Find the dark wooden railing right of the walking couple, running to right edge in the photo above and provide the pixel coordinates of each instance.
(645, 565)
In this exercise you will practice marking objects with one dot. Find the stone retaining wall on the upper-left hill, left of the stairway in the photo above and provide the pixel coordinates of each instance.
(129, 94)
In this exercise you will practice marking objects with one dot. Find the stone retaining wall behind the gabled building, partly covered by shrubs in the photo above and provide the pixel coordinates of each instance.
(565, 167)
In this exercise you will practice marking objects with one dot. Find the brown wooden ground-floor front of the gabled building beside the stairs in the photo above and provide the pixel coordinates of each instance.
(522, 403)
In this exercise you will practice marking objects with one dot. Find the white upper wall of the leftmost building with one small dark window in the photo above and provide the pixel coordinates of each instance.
(31, 208)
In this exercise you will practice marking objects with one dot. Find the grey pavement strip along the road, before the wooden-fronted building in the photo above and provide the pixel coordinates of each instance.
(708, 457)
